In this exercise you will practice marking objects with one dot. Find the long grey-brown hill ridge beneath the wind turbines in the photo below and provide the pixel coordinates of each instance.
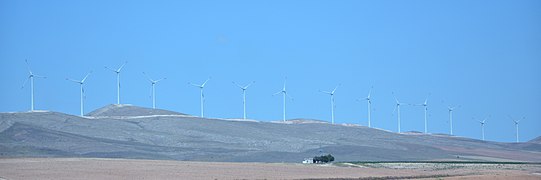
(120, 131)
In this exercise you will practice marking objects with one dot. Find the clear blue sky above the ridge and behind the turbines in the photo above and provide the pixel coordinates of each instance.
(482, 55)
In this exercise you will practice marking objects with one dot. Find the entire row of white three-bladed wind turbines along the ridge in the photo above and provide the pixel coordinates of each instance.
(284, 93)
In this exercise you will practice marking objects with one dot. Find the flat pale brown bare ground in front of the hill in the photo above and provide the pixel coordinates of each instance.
(92, 168)
